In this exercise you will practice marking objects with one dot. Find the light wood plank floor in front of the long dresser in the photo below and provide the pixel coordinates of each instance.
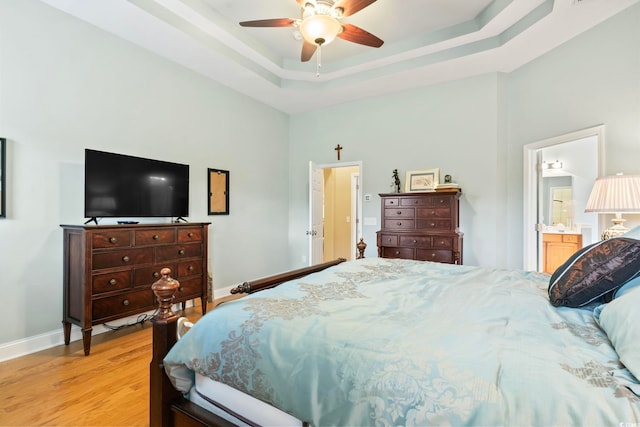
(62, 387)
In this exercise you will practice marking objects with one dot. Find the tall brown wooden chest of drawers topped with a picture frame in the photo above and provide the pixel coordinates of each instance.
(421, 226)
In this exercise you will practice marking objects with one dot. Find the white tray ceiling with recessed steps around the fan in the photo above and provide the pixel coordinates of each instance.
(426, 42)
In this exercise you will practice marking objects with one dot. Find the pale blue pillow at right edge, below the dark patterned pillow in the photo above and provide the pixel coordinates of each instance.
(620, 319)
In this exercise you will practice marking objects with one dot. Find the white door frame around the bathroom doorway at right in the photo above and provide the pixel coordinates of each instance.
(531, 184)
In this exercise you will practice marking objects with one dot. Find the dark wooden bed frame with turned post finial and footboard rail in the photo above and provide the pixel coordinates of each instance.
(167, 405)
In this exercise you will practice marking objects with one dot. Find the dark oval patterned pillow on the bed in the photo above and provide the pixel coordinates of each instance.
(595, 272)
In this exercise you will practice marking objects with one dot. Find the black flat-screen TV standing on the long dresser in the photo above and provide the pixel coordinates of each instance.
(123, 186)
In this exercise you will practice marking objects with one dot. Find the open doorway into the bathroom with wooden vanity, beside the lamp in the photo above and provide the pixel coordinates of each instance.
(558, 176)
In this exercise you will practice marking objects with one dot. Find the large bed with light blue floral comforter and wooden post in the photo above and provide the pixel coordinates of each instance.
(399, 342)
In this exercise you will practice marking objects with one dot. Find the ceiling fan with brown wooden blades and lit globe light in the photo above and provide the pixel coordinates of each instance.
(321, 22)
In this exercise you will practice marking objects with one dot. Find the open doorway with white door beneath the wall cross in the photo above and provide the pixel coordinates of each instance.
(335, 211)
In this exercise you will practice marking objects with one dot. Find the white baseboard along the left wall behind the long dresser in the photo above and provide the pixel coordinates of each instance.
(24, 346)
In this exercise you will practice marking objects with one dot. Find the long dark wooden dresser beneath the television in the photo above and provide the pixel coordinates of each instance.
(109, 269)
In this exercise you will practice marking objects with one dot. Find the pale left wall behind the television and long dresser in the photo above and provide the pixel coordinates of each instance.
(66, 86)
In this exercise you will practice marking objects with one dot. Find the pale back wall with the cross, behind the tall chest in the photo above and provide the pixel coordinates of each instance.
(451, 126)
